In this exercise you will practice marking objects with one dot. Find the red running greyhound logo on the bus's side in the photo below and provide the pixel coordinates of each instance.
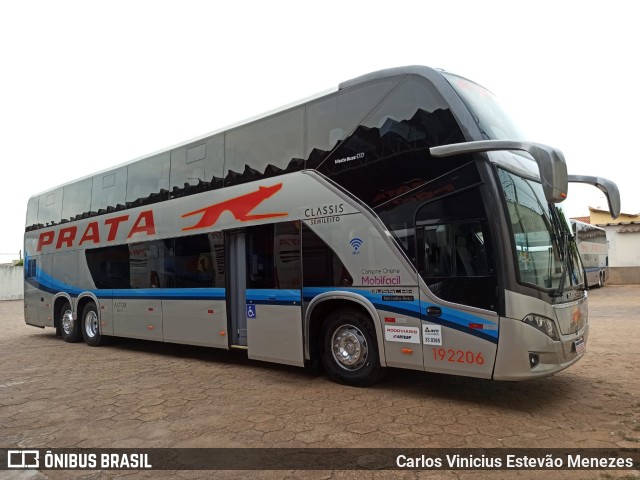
(240, 207)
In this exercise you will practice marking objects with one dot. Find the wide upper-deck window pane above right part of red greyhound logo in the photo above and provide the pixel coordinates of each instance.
(264, 148)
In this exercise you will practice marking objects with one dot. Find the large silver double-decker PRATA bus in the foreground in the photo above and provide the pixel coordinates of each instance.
(387, 223)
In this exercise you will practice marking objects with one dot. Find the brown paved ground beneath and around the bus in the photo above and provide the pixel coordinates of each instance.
(143, 394)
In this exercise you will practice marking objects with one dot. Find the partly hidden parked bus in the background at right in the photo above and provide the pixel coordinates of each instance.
(594, 251)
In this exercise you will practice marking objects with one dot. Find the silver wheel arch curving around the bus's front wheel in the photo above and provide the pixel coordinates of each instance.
(322, 305)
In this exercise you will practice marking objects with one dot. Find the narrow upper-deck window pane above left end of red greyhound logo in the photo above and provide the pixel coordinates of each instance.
(197, 167)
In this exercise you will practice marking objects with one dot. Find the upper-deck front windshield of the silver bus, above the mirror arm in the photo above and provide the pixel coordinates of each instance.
(492, 120)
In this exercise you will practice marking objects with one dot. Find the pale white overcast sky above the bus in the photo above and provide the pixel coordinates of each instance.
(86, 85)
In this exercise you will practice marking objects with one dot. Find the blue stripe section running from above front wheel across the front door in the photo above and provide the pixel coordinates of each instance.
(450, 317)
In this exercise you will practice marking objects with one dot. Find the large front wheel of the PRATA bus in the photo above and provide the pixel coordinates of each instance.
(350, 351)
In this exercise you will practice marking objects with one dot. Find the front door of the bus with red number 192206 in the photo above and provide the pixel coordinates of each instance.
(456, 261)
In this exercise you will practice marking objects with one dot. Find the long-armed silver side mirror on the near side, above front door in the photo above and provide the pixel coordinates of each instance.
(551, 163)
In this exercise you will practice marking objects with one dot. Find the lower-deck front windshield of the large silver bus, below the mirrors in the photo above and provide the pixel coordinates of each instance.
(547, 256)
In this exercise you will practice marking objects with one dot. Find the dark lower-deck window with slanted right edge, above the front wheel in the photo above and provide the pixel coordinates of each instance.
(321, 266)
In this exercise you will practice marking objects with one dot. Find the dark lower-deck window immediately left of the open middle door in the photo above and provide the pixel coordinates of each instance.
(199, 261)
